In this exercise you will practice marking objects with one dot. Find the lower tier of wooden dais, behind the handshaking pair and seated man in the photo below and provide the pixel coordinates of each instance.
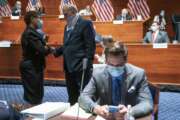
(161, 65)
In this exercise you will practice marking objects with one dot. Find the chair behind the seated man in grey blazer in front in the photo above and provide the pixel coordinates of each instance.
(154, 89)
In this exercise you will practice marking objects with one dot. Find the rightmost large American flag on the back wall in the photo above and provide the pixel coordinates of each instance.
(139, 7)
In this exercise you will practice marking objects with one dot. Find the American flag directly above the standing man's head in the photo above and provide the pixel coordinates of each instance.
(65, 2)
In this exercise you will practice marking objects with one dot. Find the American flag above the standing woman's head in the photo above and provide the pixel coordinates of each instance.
(32, 4)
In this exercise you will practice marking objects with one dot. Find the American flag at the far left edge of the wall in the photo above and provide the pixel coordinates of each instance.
(5, 9)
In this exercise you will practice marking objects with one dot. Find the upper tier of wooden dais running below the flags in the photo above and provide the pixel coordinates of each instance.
(131, 31)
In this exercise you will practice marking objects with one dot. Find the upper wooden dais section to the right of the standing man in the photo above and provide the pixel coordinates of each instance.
(128, 32)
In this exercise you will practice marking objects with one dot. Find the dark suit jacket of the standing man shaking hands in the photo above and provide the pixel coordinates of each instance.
(79, 44)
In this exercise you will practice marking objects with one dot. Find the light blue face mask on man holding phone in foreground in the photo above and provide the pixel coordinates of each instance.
(115, 71)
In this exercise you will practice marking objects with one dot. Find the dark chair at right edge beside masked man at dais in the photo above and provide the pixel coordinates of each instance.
(176, 26)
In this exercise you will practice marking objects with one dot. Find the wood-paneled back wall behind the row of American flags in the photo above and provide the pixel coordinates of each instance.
(170, 6)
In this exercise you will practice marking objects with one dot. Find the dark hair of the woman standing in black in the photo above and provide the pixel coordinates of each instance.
(29, 17)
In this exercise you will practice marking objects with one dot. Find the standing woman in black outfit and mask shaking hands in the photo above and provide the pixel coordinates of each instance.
(32, 66)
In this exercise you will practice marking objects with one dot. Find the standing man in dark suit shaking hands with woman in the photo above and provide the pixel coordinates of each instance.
(79, 44)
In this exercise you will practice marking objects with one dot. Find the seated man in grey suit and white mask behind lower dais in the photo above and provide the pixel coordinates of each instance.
(155, 35)
